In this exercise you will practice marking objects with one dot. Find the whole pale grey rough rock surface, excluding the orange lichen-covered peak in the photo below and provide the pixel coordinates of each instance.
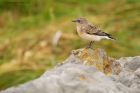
(73, 76)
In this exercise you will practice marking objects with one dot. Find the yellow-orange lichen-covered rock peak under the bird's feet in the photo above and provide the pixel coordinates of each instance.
(99, 59)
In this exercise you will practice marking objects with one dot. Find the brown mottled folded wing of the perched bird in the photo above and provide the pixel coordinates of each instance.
(93, 30)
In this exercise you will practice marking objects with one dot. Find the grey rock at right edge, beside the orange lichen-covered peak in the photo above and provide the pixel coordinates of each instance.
(130, 74)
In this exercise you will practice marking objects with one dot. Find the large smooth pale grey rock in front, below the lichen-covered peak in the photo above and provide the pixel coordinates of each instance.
(70, 78)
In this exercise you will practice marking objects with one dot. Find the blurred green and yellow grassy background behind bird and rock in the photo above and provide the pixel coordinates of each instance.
(28, 29)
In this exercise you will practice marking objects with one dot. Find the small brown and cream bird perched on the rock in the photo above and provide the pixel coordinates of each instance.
(90, 32)
